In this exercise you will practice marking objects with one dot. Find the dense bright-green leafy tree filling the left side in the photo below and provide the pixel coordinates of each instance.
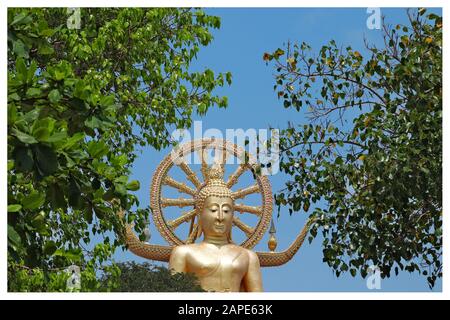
(80, 102)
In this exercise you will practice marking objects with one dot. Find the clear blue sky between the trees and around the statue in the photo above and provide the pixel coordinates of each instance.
(238, 47)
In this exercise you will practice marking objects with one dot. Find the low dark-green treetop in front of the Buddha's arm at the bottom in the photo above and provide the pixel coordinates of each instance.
(145, 277)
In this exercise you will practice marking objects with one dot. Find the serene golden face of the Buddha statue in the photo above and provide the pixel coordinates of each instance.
(217, 216)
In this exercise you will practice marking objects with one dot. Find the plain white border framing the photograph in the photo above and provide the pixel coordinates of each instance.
(445, 294)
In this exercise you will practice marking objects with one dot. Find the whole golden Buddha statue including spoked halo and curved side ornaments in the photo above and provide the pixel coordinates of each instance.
(220, 264)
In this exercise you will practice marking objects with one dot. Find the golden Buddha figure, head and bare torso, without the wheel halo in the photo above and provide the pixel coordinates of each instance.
(219, 264)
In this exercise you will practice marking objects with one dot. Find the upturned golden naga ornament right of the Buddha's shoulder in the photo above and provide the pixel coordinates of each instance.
(272, 259)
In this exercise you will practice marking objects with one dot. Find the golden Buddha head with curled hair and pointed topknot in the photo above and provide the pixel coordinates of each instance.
(214, 204)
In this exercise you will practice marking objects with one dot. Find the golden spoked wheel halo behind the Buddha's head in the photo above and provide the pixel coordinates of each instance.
(216, 186)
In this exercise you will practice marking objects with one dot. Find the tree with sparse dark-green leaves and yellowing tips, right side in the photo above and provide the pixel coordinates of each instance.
(371, 151)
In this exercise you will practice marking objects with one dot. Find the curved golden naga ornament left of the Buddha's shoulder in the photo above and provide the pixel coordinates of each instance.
(145, 250)
